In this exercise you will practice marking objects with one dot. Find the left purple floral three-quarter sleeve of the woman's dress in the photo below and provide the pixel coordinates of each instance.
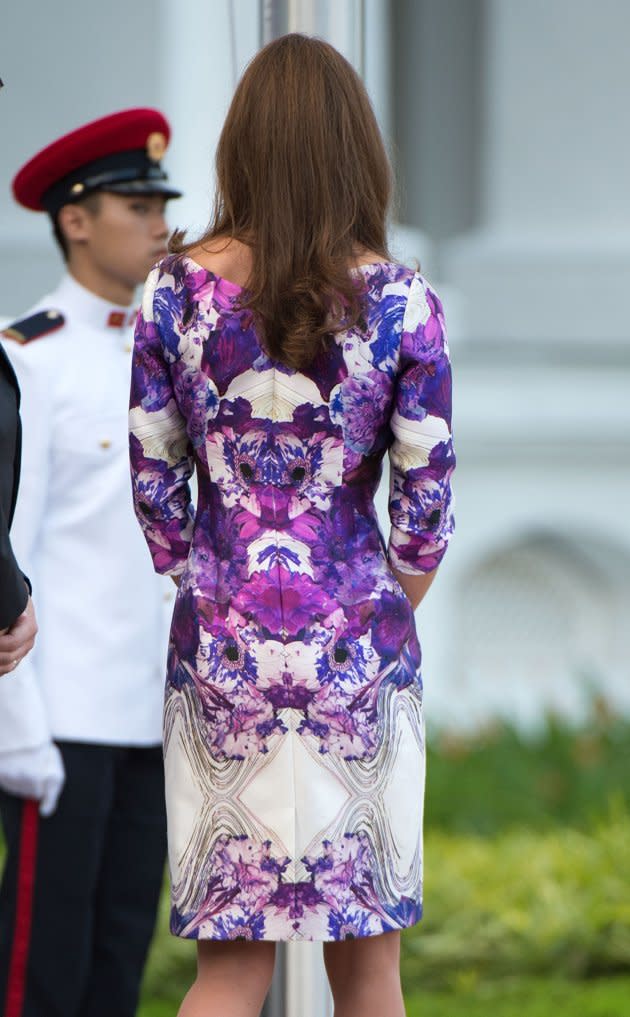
(161, 453)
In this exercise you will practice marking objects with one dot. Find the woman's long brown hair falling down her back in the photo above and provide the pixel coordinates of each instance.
(303, 178)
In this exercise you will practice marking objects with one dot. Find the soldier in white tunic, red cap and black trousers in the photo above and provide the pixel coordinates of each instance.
(81, 761)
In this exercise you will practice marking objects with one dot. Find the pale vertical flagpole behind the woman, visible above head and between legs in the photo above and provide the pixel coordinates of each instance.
(301, 988)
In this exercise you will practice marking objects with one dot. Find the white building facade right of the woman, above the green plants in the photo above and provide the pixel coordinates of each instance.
(529, 617)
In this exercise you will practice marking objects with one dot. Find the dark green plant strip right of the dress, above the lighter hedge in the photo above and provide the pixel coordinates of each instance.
(497, 781)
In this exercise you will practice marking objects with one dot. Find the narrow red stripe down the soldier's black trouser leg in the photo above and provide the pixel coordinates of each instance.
(24, 910)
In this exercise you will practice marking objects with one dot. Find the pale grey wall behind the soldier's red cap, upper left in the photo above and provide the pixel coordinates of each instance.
(63, 65)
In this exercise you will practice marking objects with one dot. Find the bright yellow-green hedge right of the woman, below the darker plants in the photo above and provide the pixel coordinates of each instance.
(555, 904)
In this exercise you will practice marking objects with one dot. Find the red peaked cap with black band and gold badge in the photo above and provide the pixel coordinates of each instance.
(120, 153)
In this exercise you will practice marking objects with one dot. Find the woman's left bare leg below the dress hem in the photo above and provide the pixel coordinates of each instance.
(233, 980)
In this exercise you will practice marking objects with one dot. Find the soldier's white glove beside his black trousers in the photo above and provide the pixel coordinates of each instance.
(34, 773)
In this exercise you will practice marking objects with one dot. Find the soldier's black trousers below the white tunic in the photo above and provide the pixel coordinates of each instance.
(98, 872)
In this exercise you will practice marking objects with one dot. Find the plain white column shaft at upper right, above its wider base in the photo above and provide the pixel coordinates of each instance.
(556, 99)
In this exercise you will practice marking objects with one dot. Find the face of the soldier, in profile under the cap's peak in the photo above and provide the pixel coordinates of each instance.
(126, 236)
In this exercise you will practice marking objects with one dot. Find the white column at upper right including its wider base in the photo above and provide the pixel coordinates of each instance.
(552, 251)
